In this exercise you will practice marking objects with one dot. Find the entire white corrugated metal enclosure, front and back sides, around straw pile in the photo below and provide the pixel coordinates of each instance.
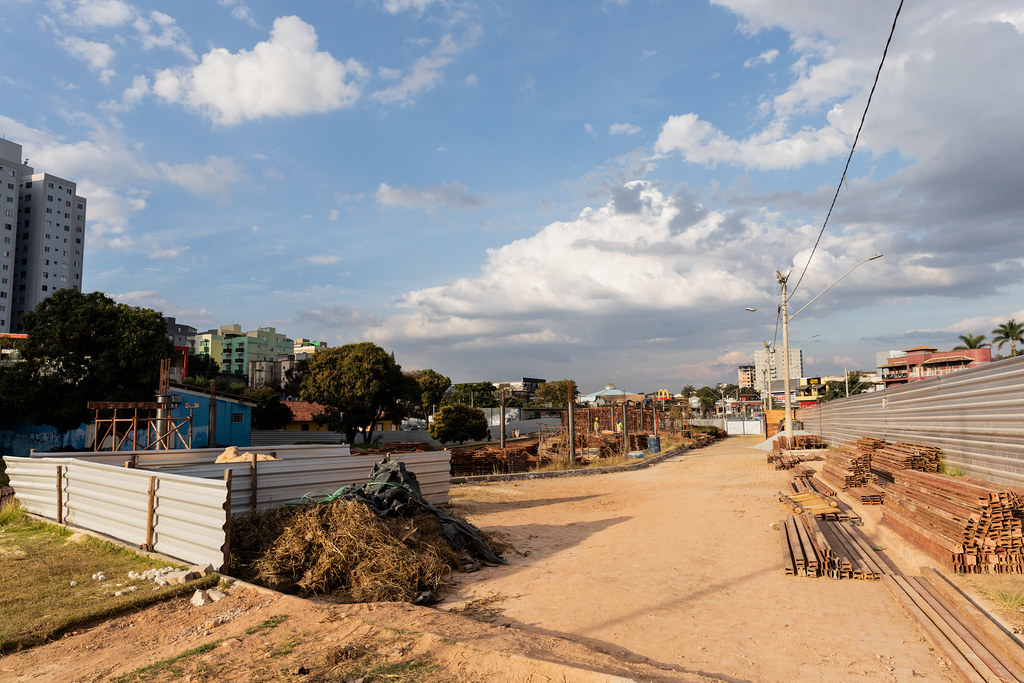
(176, 502)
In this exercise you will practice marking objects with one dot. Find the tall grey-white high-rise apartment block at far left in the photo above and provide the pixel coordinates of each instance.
(44, 236)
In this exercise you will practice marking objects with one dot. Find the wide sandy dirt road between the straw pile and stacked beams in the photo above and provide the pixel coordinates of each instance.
(678, 564)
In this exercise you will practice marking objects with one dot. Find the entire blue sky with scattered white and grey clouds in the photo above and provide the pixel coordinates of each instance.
(593, 191)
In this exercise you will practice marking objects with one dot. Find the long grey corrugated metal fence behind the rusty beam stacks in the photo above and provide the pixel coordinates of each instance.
(976, 416)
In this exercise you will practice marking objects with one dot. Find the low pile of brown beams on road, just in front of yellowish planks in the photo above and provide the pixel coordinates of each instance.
(814, 547)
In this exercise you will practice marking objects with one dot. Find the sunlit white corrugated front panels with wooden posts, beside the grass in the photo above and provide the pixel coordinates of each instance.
(189, 514)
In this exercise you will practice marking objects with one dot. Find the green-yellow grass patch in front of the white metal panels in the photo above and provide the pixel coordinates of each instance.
(38, 564)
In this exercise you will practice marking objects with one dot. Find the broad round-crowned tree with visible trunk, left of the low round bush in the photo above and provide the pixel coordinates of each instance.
(362, 382)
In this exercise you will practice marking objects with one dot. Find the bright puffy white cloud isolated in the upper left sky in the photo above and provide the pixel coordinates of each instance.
(284, 76)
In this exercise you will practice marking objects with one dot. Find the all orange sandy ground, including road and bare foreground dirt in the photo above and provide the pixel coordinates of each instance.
(671, 573)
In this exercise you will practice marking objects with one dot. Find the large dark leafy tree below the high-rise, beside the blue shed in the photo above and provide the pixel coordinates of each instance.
(80, 349)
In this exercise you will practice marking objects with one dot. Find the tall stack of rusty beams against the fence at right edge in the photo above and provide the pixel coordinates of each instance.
(967, 525)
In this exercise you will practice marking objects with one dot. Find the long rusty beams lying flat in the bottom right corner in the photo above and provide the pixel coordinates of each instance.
(974, 645)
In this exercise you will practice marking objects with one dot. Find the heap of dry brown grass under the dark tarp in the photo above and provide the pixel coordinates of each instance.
(343, 549)
